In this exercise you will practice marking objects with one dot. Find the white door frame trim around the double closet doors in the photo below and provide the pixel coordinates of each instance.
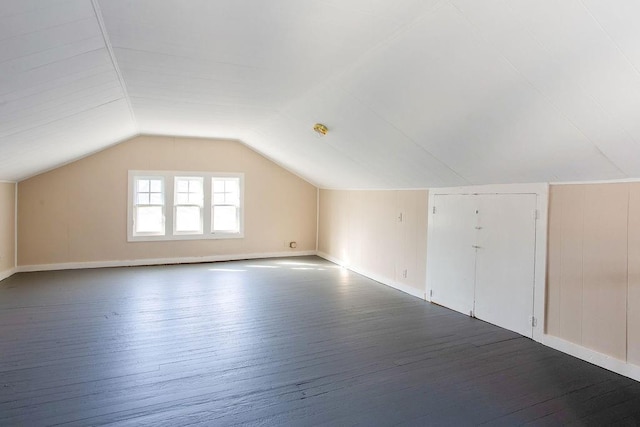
(541, 190)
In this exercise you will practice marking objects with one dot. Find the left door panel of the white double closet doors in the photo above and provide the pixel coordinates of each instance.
(451, 260)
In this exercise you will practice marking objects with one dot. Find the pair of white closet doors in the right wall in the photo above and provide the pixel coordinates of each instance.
(482, 257)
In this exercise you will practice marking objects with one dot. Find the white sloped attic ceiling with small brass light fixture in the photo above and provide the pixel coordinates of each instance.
(416, 93)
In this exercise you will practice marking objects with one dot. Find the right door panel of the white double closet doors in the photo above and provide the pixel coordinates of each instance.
(505, 260)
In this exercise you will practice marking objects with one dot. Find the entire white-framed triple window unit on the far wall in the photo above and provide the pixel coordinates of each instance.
(165, 205)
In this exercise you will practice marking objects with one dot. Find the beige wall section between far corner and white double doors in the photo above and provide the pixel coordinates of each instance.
(362, 230)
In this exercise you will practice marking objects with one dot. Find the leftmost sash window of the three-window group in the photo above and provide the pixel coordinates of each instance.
(148, 216)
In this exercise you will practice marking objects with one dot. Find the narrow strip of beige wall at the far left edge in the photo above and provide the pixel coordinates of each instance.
(7, 227)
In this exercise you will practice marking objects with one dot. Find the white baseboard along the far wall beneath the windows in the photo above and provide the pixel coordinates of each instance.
(159, 261)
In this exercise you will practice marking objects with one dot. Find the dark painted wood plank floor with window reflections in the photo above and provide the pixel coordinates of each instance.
(275, 342)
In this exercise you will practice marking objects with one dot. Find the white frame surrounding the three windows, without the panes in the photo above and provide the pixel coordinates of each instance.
(169, 206)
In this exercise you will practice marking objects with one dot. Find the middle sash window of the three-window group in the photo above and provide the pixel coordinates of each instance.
(188, 205)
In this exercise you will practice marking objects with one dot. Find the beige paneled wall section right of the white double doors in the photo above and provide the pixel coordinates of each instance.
(593, 288)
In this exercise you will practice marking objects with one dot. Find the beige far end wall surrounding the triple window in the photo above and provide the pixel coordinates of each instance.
(78, 212)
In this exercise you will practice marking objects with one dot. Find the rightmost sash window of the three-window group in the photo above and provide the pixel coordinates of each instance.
(225, 209)
